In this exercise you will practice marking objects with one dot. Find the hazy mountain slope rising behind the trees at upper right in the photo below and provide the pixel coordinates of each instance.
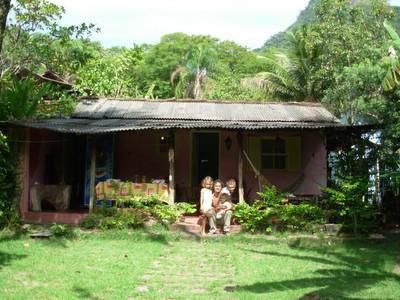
(308, 16)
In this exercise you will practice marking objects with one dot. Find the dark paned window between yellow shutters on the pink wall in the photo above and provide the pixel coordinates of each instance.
(273, 154)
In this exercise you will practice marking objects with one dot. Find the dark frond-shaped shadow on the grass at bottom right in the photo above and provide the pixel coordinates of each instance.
(357, 265)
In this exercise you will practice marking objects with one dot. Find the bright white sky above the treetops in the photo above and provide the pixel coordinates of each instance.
(124, 23)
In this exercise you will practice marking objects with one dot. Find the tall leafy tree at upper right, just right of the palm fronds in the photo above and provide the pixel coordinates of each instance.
(345, 33)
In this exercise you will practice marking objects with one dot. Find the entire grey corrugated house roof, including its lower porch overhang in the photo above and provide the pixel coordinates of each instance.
(105, 116)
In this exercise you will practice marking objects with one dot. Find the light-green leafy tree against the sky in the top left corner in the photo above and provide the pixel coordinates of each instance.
(35, 40)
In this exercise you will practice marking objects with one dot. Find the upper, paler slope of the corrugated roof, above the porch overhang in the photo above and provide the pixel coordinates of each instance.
(200, 110)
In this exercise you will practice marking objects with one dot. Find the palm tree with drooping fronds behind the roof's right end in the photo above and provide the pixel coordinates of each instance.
(289, 74)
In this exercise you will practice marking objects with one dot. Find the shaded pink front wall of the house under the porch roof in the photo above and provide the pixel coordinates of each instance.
(139, 153)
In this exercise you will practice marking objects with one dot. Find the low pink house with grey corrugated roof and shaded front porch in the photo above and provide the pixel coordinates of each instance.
(178, 142)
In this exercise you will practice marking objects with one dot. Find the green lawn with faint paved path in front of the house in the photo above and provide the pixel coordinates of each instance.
(162, 265)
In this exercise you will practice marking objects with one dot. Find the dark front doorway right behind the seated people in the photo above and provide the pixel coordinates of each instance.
(205, 156)
